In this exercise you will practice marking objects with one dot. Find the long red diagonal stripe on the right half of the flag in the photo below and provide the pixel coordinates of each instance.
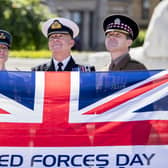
(128, 96)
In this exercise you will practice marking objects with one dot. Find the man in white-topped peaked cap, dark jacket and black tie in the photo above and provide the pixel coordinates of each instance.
(61, 33)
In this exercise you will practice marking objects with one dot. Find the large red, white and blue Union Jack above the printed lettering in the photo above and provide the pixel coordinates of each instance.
(71, 109)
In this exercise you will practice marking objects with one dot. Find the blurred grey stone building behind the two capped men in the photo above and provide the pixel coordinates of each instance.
(89, 15)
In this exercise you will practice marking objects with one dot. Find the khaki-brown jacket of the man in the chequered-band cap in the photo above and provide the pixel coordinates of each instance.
(126, 63)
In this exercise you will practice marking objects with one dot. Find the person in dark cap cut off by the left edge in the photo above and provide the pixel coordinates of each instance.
(5, 44)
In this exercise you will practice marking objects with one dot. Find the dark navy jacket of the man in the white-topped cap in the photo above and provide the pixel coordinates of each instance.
(71, 66)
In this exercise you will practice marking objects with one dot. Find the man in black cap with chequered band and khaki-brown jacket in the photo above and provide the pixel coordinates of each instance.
(120, 32)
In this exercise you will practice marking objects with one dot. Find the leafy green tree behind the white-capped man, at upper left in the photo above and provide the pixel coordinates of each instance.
(22, 19)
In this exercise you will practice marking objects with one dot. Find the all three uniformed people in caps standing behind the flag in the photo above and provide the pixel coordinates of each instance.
(120, 32)
